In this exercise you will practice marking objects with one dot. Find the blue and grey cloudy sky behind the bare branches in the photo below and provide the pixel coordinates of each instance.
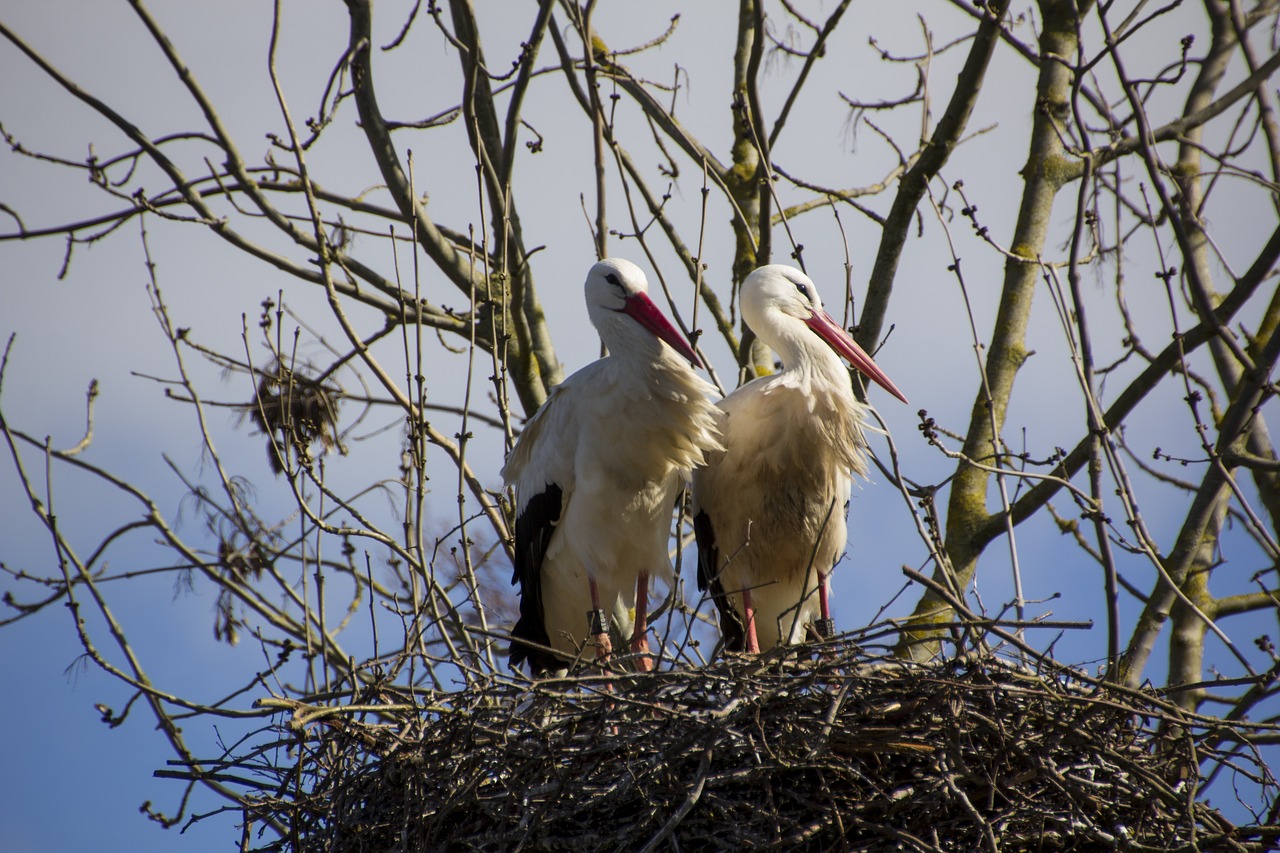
(71, 783)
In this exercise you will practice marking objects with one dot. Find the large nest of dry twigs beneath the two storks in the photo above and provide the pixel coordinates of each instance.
(806, 749)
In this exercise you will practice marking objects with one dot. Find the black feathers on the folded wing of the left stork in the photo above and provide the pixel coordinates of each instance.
(534, 530)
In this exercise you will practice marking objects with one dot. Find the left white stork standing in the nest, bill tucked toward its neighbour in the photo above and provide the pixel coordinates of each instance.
(597, 473)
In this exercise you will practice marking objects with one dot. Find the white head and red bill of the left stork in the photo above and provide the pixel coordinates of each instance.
(619, 304)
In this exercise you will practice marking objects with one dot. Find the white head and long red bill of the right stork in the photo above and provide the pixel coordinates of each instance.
(780, 303)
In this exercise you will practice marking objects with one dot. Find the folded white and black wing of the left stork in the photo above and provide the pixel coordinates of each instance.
(541, 467)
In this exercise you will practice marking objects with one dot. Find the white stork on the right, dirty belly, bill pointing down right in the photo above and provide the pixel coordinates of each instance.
(770, 513)
